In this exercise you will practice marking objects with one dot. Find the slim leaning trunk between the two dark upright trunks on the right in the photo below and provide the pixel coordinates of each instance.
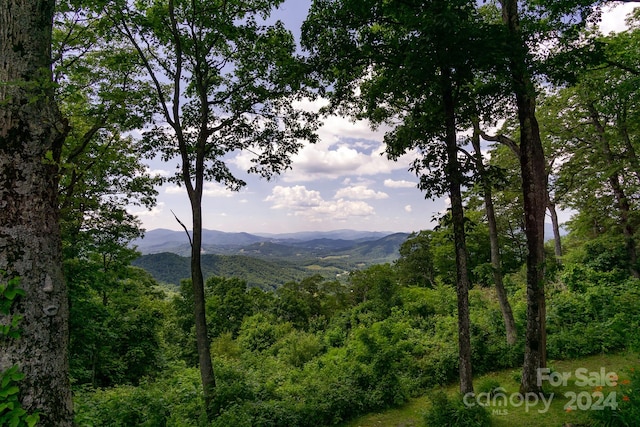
(496, 263)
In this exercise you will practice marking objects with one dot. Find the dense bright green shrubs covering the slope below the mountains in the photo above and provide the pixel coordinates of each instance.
(366, 354)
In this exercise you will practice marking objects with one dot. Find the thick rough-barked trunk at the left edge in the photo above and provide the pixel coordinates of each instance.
(30, 248)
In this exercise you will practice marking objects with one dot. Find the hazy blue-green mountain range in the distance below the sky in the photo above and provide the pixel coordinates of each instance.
(266, 260)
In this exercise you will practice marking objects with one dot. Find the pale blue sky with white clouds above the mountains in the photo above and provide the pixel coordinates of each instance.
(341, 182)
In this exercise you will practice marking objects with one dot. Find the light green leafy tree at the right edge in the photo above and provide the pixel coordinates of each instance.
(592, 124)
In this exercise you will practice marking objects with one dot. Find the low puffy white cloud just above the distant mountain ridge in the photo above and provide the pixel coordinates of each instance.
(300, 201)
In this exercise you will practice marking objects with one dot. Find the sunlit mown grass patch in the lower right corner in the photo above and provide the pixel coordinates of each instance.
(410, 415)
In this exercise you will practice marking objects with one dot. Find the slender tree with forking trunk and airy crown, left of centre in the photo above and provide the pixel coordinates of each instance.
(223, 83)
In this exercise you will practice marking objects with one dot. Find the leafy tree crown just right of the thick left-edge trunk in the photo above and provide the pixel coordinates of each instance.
(100, 91)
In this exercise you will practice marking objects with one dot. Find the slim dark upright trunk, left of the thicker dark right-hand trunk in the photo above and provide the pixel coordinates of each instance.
(457, 217)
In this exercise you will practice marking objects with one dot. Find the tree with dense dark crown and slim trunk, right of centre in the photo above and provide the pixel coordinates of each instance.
(407, 64)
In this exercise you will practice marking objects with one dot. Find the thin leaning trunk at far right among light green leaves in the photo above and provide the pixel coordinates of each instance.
(621, 199)
